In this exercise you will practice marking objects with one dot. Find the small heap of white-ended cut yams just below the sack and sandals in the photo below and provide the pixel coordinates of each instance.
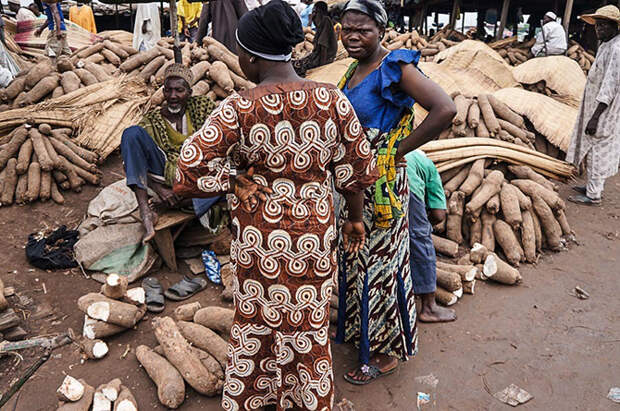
(114, 310)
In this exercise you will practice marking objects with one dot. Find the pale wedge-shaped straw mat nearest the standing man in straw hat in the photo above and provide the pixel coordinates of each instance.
(550, 118)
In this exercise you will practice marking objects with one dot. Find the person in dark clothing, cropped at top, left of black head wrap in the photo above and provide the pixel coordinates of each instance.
(224, 16)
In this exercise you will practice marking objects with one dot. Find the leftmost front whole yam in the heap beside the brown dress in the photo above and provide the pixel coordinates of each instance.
(169, 382)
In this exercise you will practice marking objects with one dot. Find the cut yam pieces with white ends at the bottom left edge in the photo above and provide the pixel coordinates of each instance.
(78, 395)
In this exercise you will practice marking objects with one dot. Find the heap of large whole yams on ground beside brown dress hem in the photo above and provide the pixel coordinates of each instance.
(192, 349)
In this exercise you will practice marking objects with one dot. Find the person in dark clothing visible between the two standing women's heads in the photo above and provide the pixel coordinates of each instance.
(325, 41)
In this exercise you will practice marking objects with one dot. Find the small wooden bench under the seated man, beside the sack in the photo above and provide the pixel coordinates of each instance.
(170, 224)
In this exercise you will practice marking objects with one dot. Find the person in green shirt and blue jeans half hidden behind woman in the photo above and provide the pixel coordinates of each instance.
(426, 193)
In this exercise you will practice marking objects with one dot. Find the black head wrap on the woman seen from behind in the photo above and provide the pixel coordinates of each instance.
(270, 31)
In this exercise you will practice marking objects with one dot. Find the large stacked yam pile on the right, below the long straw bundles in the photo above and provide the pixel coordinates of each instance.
(511, 210)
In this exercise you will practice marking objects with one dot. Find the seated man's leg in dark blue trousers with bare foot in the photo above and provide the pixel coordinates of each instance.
(141, 156)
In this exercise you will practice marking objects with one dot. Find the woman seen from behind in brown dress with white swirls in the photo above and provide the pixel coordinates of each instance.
(294, 137)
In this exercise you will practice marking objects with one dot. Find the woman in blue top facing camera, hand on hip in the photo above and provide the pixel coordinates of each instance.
(377, 308)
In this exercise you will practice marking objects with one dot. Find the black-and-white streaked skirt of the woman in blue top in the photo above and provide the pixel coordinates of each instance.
(377, 307)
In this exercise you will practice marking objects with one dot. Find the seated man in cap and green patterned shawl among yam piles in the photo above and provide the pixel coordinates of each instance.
(150, 150)
